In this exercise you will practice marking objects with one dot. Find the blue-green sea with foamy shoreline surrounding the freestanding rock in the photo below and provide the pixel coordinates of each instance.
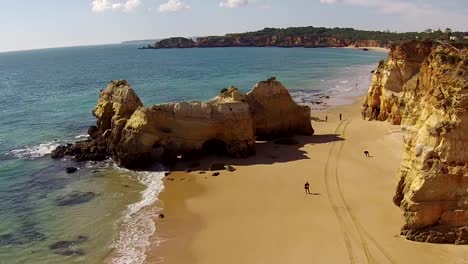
(100, 213)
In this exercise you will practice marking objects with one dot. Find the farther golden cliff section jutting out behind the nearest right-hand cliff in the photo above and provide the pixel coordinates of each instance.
(387, 85)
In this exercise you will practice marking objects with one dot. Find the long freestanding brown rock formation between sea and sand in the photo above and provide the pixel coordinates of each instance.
(136, 136)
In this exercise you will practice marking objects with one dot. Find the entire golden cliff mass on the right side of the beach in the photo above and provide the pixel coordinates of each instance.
(432, 104)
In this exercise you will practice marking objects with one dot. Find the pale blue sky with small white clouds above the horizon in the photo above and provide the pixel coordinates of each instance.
(31, 24)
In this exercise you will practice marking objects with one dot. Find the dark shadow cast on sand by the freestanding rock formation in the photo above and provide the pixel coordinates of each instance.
(267, 152)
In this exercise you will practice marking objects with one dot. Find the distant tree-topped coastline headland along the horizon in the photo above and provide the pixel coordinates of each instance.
(307, 37)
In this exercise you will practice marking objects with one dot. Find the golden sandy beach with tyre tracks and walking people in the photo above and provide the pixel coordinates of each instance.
(261, 214)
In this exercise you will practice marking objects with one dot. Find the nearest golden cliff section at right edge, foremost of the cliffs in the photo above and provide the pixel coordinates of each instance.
(433, 176)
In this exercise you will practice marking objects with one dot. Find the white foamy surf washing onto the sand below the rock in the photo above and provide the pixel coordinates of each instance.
(138, 225)
